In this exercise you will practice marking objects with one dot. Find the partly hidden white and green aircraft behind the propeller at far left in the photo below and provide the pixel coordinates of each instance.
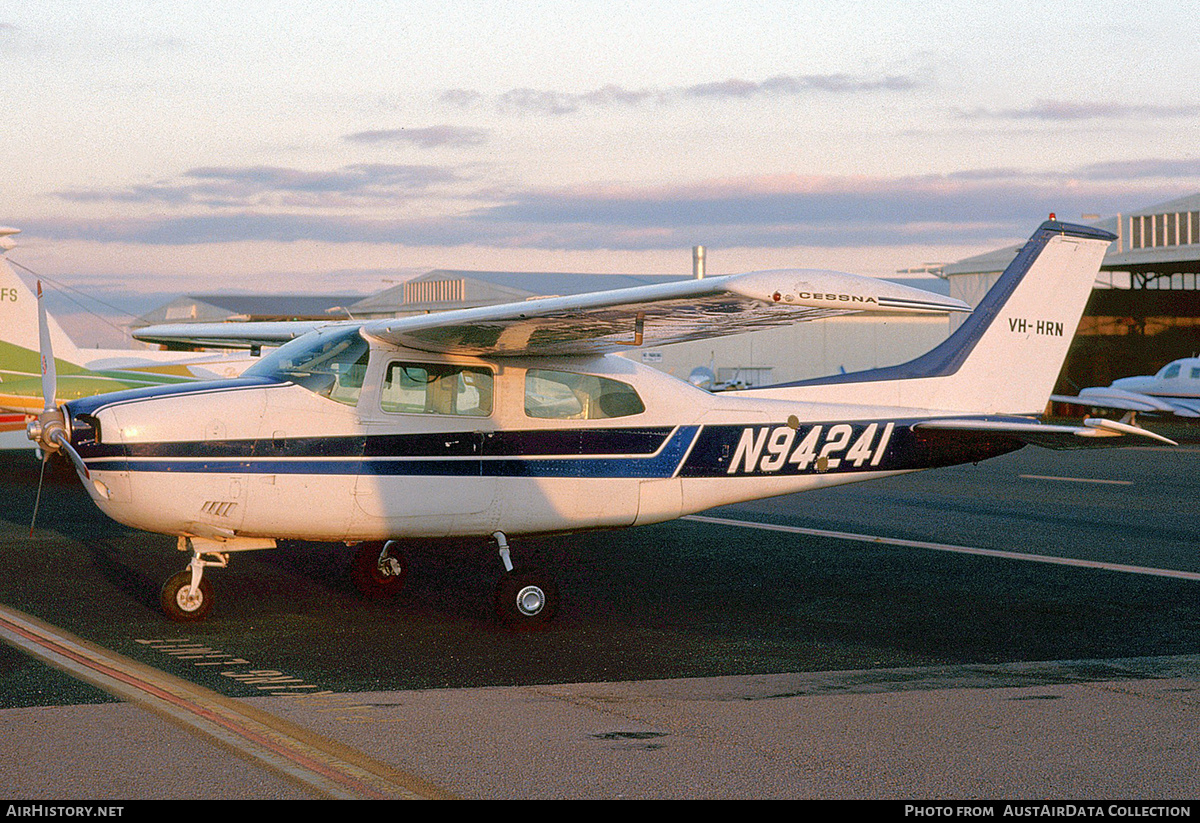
(82, 373)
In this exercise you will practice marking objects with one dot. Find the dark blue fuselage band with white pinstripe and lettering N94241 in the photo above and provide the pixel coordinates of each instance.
(757, 450)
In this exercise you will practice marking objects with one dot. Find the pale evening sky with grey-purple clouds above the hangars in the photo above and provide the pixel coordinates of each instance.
(155, 149)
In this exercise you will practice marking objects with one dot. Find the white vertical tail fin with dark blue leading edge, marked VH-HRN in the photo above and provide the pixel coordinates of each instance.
(1007, 356)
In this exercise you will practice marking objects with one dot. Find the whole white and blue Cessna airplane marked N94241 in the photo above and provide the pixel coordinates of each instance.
(521, 419)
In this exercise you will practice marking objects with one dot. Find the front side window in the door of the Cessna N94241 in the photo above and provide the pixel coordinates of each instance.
(411, 388)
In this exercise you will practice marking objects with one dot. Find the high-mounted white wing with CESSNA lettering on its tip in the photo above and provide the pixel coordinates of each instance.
(614, 321)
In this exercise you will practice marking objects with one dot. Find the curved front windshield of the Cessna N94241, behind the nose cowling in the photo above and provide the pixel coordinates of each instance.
(331, 364)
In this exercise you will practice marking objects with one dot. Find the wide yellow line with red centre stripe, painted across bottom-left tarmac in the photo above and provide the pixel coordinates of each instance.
(327, 768)
